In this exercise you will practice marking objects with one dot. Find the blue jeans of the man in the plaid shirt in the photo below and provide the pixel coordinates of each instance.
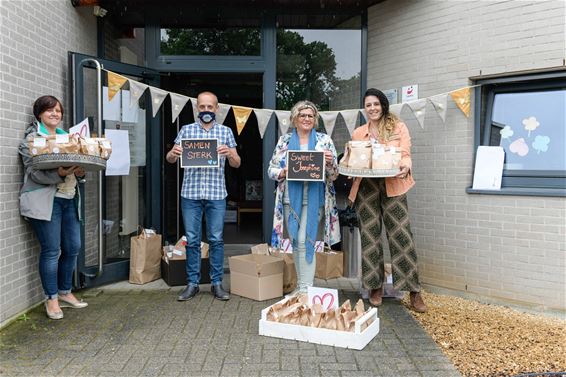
(214, 211)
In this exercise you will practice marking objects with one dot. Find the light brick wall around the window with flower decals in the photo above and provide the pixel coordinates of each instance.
(509, 248)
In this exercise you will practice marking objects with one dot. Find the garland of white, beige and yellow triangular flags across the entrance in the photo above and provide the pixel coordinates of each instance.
(462, 98)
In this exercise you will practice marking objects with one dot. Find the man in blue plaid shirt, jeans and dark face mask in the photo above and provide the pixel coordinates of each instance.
(204, 190)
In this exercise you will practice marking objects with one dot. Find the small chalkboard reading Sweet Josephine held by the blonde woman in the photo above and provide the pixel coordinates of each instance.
(305, 165)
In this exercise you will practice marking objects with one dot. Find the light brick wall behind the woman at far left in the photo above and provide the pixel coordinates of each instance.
(35, 36)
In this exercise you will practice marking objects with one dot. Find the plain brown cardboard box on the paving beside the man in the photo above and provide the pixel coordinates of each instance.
(259, 277)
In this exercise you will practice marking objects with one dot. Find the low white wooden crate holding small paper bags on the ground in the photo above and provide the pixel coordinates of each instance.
(345, 339)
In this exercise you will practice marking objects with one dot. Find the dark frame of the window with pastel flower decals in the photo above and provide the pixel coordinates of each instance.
(524, 182)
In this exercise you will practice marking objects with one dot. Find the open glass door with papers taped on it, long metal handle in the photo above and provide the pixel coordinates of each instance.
(124, 201)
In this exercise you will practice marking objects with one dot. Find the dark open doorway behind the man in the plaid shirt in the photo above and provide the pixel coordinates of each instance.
(243, 221)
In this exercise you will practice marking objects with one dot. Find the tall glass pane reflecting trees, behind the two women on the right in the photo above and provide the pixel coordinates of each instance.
(319, 59)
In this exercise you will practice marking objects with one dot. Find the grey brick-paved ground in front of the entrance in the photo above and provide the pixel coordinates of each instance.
(143, 331)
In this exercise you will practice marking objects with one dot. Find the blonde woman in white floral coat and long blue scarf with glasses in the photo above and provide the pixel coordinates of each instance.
(301, 206)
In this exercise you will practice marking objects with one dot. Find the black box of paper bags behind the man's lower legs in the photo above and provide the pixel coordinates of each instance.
(173, 265)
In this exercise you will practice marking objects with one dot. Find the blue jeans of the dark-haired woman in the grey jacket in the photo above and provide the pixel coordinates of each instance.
(62, 233)
